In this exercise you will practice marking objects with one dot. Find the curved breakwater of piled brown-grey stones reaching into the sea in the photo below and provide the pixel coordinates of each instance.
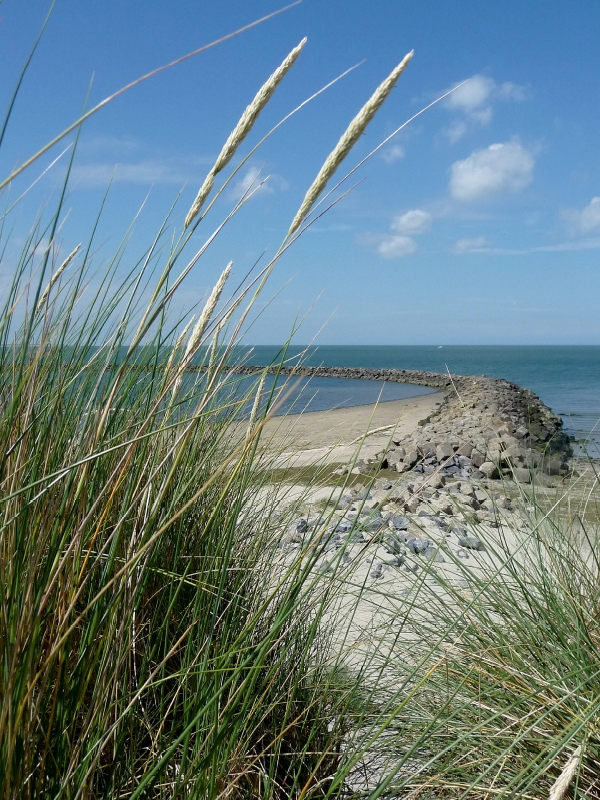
(484, 428)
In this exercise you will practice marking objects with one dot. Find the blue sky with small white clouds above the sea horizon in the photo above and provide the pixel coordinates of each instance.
(478, 223)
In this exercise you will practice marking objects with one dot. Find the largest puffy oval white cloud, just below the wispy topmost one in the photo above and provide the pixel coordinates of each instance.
(506, 167)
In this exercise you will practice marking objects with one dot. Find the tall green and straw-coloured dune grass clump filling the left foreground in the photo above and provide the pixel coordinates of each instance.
(148, 646)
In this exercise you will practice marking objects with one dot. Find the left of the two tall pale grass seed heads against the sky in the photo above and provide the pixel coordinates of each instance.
(242, 129)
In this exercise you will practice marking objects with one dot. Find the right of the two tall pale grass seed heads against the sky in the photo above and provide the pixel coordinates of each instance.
(347, 141)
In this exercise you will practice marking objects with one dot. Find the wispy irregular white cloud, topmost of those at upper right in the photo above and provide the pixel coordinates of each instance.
(473, 101)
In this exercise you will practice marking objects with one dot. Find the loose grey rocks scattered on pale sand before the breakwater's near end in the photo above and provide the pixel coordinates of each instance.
(405, 523)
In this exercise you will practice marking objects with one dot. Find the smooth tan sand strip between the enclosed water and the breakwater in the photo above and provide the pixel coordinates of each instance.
(328, 437)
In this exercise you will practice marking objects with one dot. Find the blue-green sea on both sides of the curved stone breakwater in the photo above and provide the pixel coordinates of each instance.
(566, 378)
